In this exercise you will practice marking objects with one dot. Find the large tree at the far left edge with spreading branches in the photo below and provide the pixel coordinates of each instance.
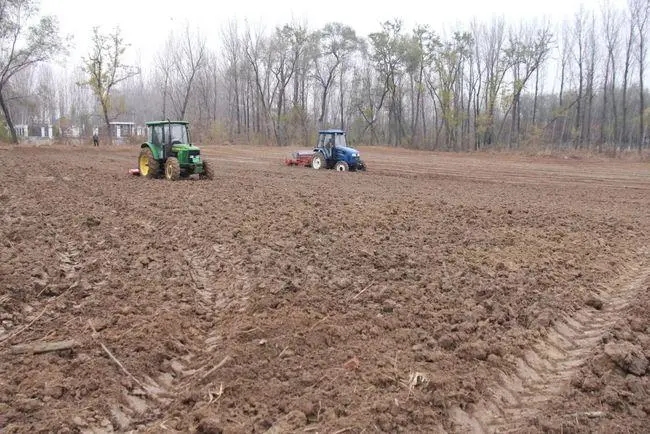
(25, 40)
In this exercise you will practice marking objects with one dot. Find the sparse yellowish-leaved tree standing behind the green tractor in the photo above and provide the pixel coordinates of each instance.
(105, 68)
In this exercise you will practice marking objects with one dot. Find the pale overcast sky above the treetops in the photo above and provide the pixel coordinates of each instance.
(146, 23)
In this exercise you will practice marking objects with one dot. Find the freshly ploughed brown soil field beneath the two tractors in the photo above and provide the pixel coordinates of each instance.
(433, 293)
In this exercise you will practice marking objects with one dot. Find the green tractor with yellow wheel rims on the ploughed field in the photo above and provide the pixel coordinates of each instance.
(169, 151)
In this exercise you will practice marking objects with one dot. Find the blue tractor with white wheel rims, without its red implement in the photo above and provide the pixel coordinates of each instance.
(332, 152)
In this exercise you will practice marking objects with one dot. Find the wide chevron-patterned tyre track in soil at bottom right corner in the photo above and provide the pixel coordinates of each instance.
(547, 367)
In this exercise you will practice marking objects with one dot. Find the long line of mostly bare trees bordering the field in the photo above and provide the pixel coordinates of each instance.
(578, 83)
